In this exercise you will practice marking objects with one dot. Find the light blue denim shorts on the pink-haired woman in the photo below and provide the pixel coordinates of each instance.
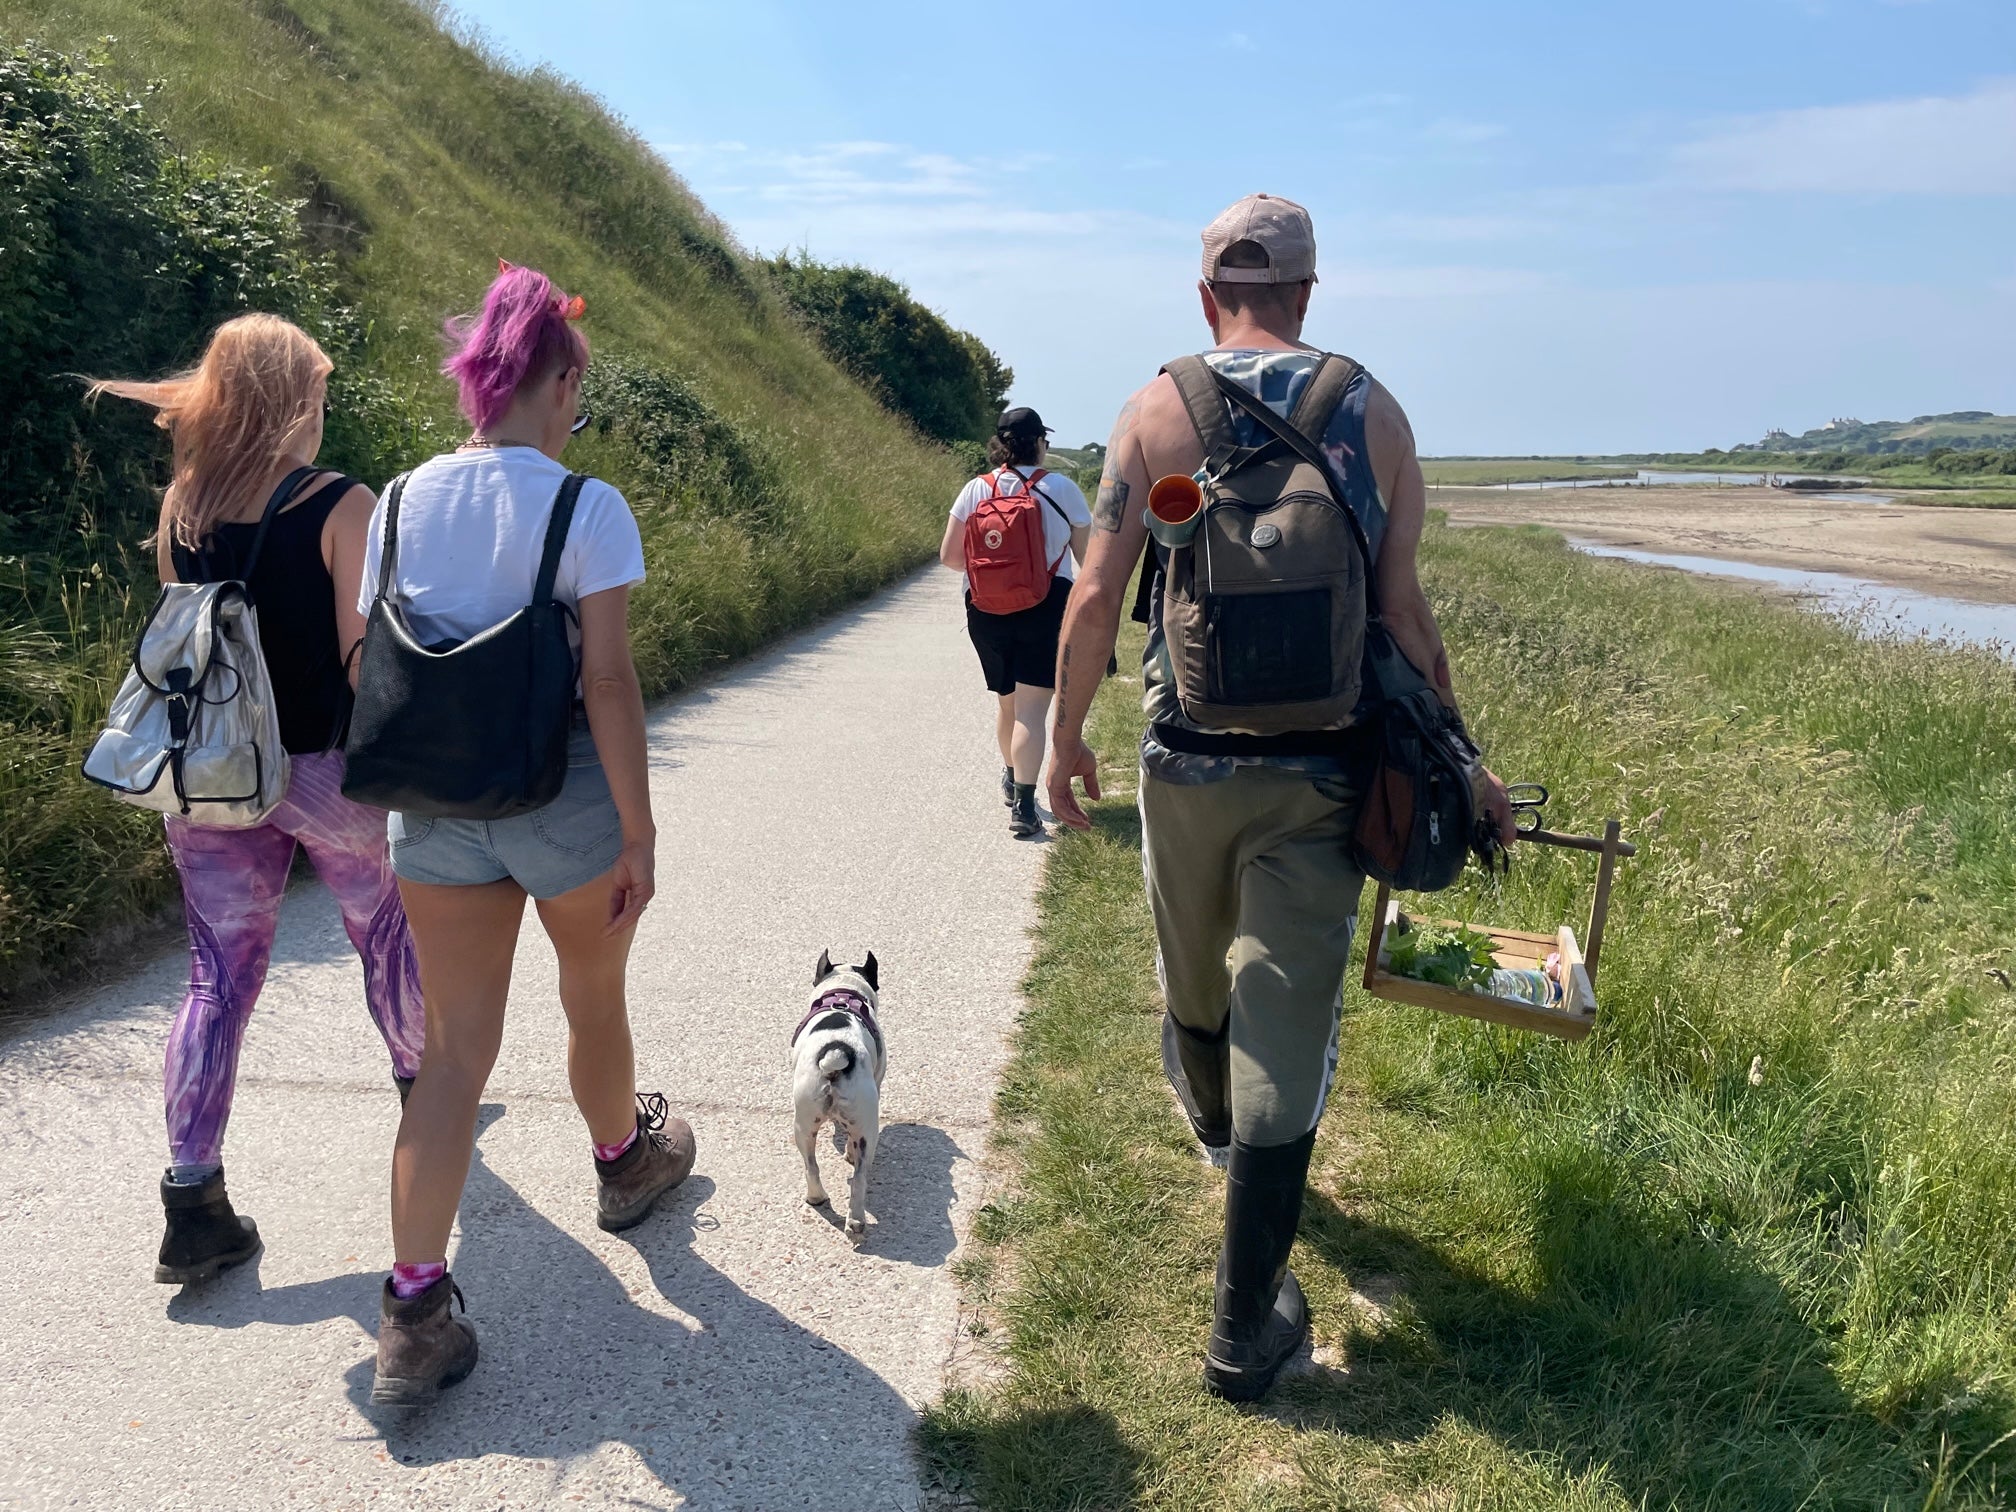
(547, 852)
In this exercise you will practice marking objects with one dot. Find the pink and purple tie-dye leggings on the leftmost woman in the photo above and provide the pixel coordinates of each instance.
(233, 882)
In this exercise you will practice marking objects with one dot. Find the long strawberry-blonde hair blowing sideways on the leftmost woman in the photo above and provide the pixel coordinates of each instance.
(233, 416)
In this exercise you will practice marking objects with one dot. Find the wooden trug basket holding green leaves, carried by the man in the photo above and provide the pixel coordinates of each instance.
(1515, 949)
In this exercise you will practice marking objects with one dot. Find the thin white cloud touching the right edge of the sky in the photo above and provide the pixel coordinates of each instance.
(1952, 144)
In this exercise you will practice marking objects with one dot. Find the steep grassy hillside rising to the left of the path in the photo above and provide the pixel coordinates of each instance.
(428, 162)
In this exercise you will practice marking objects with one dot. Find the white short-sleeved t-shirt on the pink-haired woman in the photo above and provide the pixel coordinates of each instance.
(473, 527)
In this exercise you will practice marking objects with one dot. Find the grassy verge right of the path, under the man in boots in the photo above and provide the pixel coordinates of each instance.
(1751, 1247)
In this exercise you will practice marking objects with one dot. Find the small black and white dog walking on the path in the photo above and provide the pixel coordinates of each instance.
(838, 1065)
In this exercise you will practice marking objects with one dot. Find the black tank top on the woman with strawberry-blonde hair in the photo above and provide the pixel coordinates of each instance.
(297, 614)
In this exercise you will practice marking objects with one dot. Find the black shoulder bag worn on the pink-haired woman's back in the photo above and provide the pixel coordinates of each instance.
(465, 729)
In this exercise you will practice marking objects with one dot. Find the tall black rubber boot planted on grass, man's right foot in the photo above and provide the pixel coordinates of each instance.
(1261, 1315)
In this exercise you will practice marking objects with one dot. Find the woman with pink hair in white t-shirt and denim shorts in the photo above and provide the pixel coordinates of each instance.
(471, 535)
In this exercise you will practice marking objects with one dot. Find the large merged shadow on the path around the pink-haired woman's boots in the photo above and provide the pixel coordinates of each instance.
(729, 1406)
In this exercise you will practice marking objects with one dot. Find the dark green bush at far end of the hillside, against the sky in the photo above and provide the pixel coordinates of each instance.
(942, 380)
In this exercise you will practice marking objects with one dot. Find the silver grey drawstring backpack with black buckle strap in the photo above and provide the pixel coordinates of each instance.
(195, 729)
